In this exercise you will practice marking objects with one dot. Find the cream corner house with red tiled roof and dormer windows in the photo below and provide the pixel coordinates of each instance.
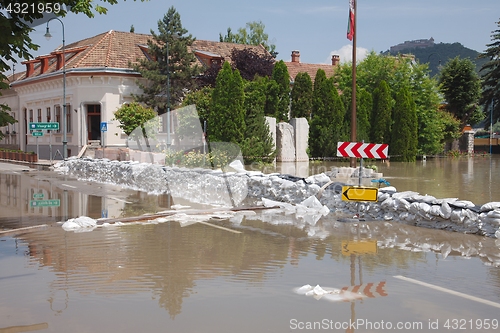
(98, 80)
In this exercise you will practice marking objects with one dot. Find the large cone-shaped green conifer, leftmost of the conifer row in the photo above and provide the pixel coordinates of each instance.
(227, 115)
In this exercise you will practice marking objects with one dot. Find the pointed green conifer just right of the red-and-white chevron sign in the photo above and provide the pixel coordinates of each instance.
(404, 136)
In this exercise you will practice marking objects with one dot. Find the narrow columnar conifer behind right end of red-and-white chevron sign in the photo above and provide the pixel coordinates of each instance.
(381, 117)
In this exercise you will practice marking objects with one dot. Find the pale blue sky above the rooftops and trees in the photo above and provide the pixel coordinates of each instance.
(316, 28)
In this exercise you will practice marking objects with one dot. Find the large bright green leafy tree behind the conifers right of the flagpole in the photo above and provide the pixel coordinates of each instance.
(398, 72)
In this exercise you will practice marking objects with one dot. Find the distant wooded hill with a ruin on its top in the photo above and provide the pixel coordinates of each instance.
(439, 54)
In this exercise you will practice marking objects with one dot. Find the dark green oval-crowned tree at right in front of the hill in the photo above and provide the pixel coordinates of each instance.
(461, 88)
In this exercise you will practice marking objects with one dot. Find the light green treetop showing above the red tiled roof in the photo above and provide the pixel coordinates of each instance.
(252, 34)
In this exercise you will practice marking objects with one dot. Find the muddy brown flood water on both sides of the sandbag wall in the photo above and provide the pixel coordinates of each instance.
(243, 277)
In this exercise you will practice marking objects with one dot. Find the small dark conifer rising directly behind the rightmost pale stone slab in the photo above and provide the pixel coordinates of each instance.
(301, 97)
